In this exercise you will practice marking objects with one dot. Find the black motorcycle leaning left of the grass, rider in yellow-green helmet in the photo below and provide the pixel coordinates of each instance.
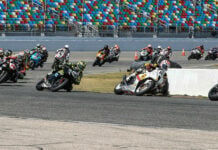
(62, 79)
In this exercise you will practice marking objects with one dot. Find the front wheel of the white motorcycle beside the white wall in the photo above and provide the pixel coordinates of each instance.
(144, 87)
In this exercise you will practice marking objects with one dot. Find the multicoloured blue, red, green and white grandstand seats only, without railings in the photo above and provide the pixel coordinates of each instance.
(133, 13)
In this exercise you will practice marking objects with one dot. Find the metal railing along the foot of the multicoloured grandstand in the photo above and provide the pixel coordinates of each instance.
(102, 28)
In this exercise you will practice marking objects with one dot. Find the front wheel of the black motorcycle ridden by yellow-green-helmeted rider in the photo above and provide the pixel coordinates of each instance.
(59, 84)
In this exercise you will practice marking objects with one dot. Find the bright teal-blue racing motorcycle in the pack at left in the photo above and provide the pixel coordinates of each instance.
(35, 60)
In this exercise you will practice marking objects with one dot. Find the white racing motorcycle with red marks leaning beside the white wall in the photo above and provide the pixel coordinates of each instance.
(144, 82)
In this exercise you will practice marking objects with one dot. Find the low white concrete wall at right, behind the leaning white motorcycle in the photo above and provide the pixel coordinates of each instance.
(193, 82)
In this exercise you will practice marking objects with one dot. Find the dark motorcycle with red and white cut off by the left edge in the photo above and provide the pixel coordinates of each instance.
(9, 70)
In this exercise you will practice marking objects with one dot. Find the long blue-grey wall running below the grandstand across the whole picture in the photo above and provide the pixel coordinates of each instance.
(94, 44)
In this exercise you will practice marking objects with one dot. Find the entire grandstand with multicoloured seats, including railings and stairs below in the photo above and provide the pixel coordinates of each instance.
(109, 17)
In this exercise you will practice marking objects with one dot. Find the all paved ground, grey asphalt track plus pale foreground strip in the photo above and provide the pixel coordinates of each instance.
(30, 119)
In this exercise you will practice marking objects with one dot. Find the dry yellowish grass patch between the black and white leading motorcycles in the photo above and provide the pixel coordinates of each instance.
(101, 83)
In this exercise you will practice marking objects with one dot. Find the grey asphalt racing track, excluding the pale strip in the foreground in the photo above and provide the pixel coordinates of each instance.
(23, 101)
